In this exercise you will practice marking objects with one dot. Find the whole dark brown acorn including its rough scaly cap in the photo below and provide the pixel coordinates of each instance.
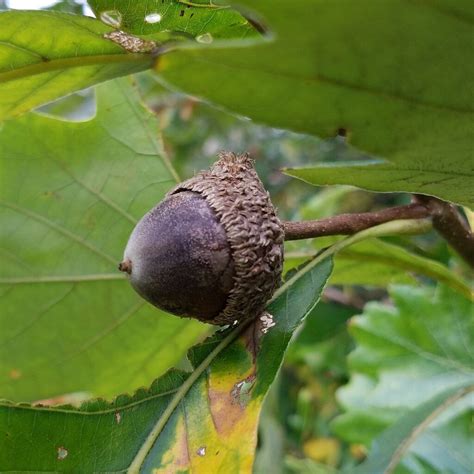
(212, 249)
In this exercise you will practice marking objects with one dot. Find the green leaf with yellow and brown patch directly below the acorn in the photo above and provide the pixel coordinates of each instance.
(206, 418)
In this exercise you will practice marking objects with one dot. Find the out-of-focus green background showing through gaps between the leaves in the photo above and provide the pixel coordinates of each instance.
(296, 432)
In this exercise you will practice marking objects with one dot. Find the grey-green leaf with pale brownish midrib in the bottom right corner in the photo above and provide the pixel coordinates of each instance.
(392, 444)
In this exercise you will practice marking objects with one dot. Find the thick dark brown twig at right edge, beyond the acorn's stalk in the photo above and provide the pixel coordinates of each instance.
(451, 225)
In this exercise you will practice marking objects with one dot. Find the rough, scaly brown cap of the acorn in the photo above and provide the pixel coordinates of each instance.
(255, 235)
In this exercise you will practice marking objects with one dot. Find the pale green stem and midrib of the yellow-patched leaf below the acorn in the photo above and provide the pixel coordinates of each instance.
(389, 228)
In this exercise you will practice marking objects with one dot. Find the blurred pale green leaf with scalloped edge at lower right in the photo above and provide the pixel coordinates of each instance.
(416, 350)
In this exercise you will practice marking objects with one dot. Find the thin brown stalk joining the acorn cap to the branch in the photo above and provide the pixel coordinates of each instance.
(347, 224)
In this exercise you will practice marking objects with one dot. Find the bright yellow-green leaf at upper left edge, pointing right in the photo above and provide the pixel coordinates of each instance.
(46, 55)
